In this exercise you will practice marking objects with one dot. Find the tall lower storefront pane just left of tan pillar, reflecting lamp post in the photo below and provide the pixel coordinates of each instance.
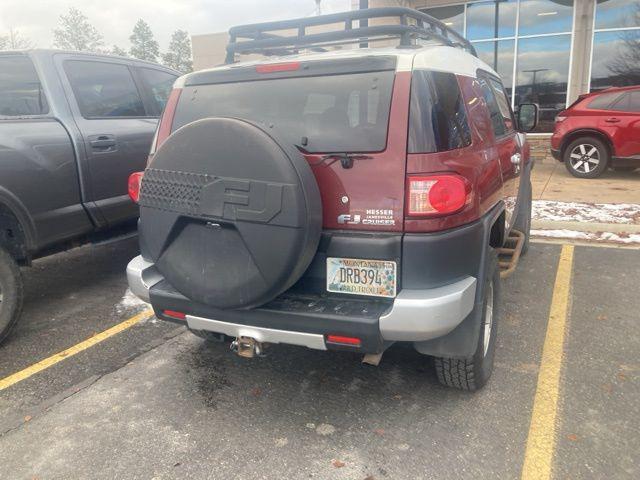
(543, 75)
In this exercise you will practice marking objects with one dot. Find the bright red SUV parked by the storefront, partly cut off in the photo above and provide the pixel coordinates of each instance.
(599, 130)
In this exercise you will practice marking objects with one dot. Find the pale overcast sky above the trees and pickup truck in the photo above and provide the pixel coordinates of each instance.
(114, 19)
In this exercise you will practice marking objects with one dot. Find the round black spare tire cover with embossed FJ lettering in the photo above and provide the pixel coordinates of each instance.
(230, 216)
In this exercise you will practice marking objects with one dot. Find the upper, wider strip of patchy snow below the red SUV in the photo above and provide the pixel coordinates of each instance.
(622, 213)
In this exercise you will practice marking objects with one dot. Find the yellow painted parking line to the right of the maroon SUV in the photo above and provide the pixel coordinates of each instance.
(540, 442)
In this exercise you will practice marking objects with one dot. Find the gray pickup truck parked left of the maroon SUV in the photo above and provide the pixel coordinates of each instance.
(73, 127)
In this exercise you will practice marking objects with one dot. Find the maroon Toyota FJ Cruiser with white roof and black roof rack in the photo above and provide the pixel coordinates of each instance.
(338, 199)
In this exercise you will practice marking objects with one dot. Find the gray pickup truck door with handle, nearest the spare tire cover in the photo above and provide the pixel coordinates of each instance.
(117, 124)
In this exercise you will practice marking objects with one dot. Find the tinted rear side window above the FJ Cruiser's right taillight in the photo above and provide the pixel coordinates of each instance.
(437, 119)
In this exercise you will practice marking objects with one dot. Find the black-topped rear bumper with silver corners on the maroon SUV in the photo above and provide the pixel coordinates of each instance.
(414, 315)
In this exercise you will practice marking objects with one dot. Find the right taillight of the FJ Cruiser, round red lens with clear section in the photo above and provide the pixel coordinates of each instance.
(434, 195)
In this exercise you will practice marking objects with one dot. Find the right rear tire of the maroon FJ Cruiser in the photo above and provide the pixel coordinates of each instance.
(472, 373)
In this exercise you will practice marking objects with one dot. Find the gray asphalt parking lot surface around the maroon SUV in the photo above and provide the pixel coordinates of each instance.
(154, 401)
